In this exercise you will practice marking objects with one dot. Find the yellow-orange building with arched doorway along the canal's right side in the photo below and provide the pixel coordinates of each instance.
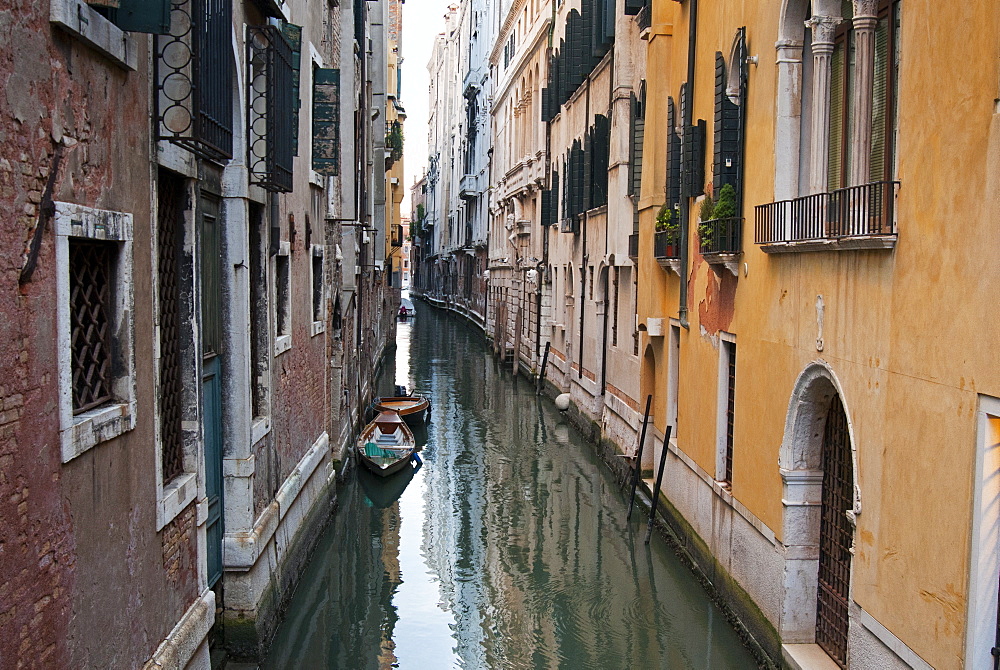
(840, 474)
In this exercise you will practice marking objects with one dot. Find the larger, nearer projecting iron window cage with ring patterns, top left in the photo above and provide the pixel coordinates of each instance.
(194, 78)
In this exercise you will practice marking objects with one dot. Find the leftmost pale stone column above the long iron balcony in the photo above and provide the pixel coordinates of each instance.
(788, 134)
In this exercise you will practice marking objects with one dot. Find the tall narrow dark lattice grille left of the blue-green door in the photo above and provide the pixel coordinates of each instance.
(168, 241)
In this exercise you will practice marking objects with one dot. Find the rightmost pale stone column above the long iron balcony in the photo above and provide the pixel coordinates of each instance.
(865, 19)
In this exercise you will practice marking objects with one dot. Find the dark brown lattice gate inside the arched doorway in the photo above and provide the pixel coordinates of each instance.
(836, 535)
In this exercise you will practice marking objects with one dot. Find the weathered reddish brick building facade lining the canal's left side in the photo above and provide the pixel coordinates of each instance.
(198, 313)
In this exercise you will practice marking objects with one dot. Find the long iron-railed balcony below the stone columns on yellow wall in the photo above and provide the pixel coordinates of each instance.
(857, 217)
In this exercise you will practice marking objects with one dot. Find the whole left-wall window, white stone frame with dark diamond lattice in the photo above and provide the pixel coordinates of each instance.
(97, 363)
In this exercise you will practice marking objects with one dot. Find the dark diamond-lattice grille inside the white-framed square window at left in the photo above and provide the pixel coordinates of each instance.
(91, 270)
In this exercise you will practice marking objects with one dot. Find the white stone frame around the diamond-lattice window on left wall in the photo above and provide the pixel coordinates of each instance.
(80, 433)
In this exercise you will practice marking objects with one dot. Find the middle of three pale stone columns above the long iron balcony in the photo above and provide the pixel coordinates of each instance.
(823, 28)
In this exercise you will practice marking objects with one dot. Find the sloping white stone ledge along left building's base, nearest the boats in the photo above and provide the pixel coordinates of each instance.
(240, 550)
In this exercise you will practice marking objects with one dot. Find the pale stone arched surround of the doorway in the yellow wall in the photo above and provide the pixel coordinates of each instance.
(800, 462)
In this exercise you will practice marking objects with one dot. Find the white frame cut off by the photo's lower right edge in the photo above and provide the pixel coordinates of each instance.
(984, 565)
